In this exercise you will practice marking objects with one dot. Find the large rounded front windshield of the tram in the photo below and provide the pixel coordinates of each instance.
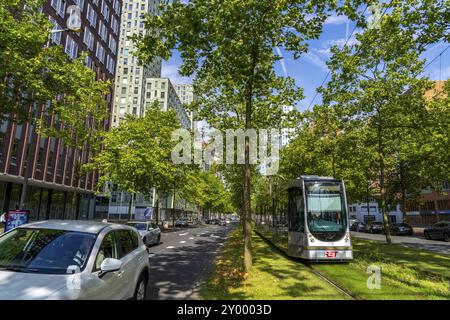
(327, 219)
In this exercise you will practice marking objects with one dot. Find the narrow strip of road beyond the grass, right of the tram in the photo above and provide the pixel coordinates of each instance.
(414, 242)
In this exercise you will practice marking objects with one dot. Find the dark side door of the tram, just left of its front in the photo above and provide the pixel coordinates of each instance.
(296, 211)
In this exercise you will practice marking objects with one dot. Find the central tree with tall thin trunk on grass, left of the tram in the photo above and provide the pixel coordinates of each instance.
(229, 45)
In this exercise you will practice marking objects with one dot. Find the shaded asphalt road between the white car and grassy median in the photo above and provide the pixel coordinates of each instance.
(182, 260)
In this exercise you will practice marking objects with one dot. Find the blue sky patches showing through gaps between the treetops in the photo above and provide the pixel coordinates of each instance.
(310, 70)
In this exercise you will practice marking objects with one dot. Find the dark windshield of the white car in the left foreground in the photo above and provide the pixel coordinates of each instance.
(45, 250)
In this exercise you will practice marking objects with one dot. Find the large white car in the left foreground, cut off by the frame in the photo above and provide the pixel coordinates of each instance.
(68, 260)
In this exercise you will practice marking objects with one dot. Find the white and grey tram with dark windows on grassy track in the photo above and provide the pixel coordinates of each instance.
(308, 218)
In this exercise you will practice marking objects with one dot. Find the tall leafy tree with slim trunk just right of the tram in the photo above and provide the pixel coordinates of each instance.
(376, 86)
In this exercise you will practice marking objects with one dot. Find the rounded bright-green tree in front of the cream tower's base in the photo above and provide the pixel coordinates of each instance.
(137, 154)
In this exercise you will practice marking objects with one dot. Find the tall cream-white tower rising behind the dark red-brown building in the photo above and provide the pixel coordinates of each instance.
(130, 77)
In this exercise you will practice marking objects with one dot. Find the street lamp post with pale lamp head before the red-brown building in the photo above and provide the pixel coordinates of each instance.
(73, 24)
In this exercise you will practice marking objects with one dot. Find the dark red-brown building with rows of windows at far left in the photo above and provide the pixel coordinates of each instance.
(52, 185)
